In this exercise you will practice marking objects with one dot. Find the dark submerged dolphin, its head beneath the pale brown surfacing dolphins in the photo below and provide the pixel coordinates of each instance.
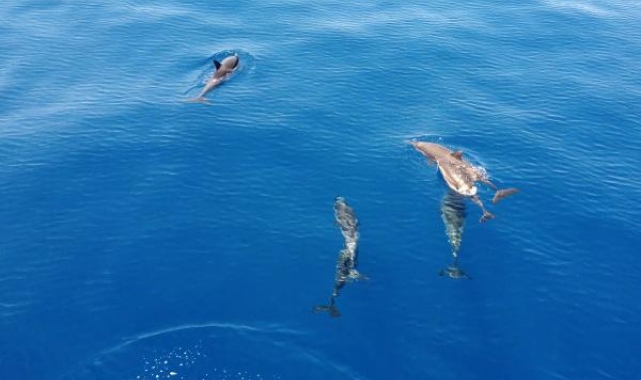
(453, 215)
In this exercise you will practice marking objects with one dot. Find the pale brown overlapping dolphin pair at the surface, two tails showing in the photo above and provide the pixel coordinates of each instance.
(460, 175)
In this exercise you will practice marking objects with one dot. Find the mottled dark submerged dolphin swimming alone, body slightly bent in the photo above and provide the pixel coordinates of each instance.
(347, 260)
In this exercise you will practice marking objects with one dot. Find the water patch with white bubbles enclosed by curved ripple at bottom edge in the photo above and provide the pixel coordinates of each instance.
(212, 351)
